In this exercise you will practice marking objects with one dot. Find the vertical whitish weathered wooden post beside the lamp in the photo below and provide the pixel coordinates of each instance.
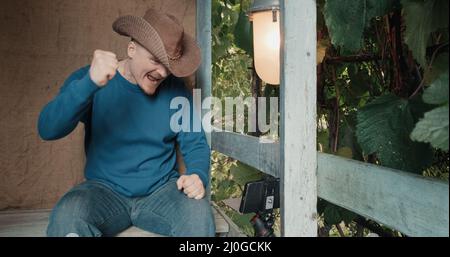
(298, 118)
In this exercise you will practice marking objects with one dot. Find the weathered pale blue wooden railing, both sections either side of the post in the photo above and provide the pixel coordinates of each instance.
(412, 204)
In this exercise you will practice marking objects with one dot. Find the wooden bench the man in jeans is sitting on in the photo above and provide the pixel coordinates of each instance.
(33, 223)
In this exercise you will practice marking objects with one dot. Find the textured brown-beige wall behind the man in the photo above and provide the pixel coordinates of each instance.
(41, 43)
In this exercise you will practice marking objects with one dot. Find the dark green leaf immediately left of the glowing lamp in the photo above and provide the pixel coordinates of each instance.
(243, 34)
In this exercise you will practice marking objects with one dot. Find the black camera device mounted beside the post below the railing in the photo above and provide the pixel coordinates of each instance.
(261, 197)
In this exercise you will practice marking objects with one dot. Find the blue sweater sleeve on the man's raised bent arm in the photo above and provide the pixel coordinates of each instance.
(60, 116)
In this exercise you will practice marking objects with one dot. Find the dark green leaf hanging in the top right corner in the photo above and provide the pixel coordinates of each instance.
(421, 19)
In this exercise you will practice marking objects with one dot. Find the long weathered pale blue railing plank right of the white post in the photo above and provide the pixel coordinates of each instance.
(412, 204)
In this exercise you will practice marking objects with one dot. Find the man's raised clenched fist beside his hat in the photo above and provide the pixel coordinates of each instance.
(103, 67)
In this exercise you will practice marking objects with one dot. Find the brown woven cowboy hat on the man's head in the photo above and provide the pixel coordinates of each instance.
(163, 36)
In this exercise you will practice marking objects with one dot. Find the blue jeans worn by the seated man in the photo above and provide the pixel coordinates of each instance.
(94, 209)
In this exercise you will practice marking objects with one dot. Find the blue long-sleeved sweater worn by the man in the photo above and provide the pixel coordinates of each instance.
(128, 140)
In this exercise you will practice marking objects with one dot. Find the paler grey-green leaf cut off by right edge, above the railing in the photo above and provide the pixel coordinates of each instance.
(433, 128)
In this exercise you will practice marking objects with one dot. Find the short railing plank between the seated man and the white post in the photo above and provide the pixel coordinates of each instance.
(262, 155)
